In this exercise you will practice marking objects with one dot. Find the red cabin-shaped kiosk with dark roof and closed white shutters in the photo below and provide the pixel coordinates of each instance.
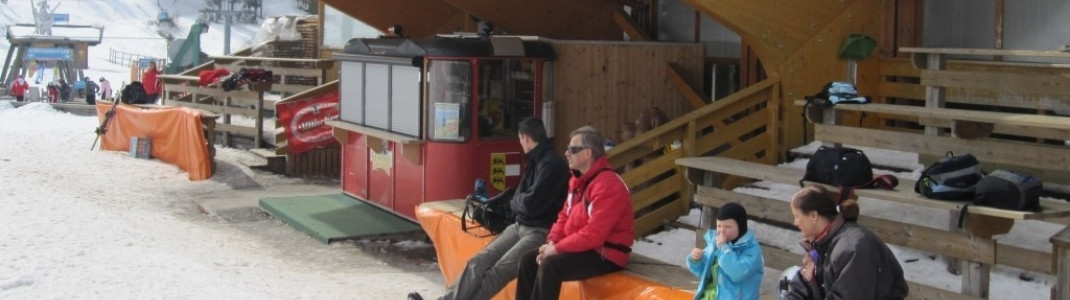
(421, 121)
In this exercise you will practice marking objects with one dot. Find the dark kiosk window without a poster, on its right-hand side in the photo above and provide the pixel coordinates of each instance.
(507, 97)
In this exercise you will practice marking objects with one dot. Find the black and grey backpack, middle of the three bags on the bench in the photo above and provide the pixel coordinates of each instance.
(952, 178)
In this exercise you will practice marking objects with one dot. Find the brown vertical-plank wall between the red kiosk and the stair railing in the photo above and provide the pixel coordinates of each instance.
(607, 84)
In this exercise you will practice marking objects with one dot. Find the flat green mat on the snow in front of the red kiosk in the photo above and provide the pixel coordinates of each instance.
(337, 217)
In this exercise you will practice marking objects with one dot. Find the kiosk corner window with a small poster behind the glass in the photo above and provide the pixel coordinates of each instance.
(449, 94)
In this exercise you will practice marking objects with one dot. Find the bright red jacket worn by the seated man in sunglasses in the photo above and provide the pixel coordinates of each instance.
(601, 215)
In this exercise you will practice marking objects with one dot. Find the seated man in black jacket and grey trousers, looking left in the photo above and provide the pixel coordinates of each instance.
(536, 203)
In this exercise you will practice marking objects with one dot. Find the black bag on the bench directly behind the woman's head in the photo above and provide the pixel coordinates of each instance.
(839, 167)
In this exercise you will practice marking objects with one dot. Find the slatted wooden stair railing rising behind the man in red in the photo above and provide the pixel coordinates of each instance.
(743, 126)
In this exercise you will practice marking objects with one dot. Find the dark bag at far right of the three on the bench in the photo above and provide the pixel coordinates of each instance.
(1008, 190)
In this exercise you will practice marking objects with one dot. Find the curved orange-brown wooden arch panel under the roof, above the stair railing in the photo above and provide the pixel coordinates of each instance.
(799, 42)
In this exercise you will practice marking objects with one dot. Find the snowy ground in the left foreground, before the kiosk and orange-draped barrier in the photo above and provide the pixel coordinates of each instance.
(101, 226)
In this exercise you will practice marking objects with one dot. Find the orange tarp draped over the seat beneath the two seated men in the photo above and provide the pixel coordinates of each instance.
(455, 247)
